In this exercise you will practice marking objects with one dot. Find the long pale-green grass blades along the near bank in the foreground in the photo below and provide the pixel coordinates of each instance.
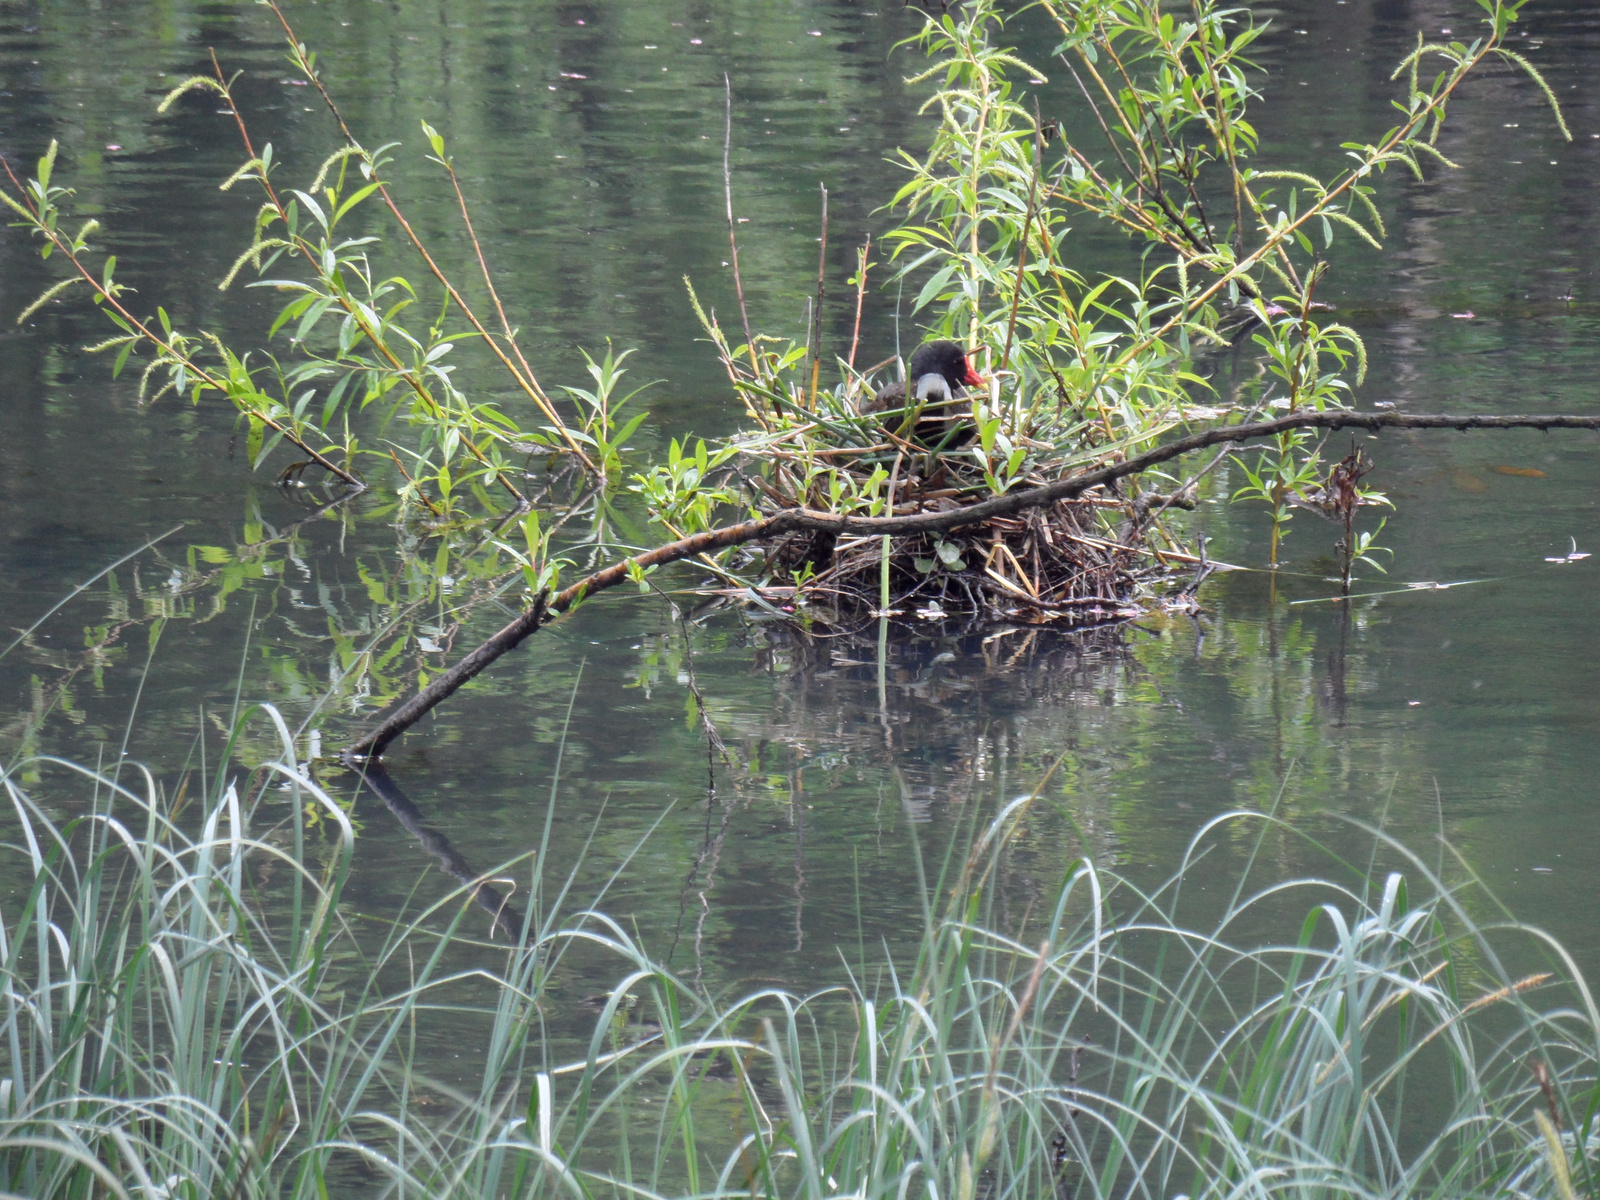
(191, 1012)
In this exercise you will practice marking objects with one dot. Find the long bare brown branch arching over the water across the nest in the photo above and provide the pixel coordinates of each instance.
(374, 745)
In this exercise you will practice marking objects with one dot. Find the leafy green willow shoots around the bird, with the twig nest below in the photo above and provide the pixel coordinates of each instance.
(1090, 370)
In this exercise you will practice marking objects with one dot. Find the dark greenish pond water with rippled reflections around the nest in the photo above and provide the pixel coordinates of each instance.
(590, 138)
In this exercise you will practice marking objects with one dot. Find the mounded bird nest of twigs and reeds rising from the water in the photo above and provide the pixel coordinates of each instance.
(1081, 562)
